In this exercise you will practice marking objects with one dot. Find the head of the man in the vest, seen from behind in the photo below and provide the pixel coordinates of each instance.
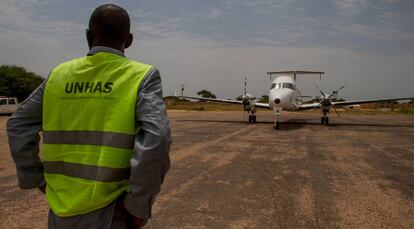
(109, 26)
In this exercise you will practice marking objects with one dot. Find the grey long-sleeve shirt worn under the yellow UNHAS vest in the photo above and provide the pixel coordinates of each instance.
(149, 163)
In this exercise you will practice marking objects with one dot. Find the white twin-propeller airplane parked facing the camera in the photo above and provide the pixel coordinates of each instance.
(284, 95)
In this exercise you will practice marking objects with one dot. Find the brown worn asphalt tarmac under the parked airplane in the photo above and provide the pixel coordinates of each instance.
(226, 173)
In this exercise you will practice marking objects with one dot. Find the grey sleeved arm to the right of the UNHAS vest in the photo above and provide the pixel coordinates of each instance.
(150, 161)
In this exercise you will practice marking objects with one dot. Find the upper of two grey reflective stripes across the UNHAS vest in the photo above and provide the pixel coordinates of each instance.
(89, 138)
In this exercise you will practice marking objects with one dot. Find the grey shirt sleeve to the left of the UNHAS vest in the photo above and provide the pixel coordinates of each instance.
(23, 129)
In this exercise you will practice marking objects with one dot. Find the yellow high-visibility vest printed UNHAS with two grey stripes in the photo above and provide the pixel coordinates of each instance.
(88, 131)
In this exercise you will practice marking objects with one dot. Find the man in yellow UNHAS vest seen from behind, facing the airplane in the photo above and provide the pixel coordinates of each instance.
(105, 133)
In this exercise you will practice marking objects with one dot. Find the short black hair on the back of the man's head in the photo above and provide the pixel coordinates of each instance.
(110, 22)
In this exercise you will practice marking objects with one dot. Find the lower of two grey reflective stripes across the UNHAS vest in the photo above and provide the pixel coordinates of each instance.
(89, 172)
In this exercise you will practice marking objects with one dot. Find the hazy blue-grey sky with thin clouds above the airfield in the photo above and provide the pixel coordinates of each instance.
(367, 45)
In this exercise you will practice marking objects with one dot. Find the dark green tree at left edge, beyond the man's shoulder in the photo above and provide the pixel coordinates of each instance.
(15, 81)
